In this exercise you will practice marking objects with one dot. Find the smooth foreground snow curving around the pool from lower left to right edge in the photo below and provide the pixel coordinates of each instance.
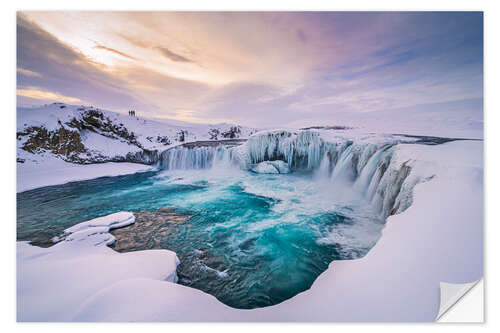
(438, 238)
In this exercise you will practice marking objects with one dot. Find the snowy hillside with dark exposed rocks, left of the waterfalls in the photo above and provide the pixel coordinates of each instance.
(85, 135)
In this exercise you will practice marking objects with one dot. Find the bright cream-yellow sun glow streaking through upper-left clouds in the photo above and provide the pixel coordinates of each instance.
(103, 45)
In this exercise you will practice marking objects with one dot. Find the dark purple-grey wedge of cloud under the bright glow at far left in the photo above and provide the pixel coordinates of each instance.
(64, 71)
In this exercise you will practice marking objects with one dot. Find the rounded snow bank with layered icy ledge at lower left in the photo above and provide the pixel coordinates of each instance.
(53, 283)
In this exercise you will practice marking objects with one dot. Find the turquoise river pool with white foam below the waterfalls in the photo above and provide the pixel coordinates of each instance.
(253, 241)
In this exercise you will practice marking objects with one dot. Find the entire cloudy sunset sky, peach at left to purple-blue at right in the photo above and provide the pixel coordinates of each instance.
(252, 68)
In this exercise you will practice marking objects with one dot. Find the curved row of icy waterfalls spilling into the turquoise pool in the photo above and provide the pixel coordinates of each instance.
(371, 168)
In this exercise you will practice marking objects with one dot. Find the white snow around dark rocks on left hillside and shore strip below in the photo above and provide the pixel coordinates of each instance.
(44, 168)
